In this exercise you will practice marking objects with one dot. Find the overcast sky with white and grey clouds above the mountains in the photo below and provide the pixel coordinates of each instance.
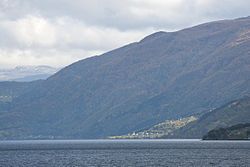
(60, 32)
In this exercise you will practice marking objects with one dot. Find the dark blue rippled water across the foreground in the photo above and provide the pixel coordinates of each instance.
(125, 153)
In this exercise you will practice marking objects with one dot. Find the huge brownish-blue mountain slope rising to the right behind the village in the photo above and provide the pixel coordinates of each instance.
(166, 75)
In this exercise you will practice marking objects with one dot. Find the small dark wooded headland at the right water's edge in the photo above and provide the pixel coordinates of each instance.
(236, 132)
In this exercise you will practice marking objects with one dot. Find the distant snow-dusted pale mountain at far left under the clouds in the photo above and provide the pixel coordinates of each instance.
(27, 73)
